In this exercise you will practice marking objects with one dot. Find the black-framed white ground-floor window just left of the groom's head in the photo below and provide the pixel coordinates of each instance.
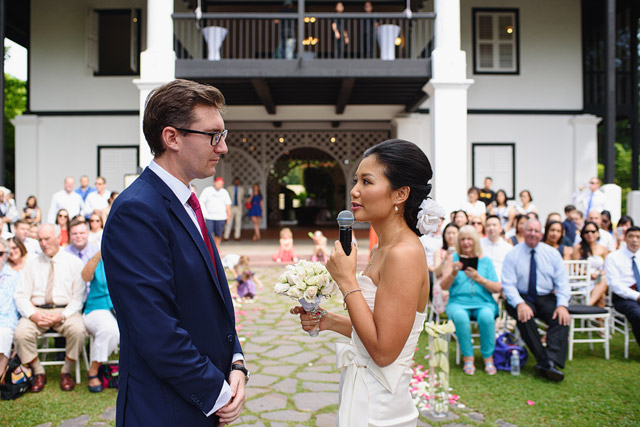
(115, 162)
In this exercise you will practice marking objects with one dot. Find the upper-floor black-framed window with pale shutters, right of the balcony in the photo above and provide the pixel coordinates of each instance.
(495, 41)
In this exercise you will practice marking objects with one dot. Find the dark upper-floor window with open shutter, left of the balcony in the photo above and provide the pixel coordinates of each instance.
(113, 42)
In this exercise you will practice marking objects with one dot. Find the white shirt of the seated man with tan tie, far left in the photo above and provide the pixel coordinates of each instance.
(68, 287)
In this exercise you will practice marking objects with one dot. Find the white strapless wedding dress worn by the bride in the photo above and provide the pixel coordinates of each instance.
(371, 395)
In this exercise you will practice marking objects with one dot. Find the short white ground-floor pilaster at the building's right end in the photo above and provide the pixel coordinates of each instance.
(585, 148)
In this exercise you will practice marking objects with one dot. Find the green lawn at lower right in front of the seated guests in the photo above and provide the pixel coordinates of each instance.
(595, 391)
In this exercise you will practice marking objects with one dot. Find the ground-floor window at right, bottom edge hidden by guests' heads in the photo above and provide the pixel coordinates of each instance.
(496, 160)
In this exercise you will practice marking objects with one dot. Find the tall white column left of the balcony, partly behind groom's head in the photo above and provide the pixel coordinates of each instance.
(157, 62)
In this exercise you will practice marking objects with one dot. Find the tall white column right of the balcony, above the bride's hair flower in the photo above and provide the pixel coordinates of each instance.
(448, 91)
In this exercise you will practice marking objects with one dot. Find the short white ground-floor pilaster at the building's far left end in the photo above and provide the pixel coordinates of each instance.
(27, 153)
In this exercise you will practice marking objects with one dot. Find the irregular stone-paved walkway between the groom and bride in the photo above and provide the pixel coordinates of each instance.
(294, 379)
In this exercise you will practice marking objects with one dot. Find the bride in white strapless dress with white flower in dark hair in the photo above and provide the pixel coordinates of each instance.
(386, 303)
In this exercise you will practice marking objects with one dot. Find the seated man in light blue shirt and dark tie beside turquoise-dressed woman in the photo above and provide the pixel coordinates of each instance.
(536, 285)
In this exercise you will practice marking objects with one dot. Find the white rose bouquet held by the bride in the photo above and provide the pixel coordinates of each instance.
(307, 282)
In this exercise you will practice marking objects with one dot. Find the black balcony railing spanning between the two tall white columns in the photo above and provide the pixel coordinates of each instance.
(274, 36)
